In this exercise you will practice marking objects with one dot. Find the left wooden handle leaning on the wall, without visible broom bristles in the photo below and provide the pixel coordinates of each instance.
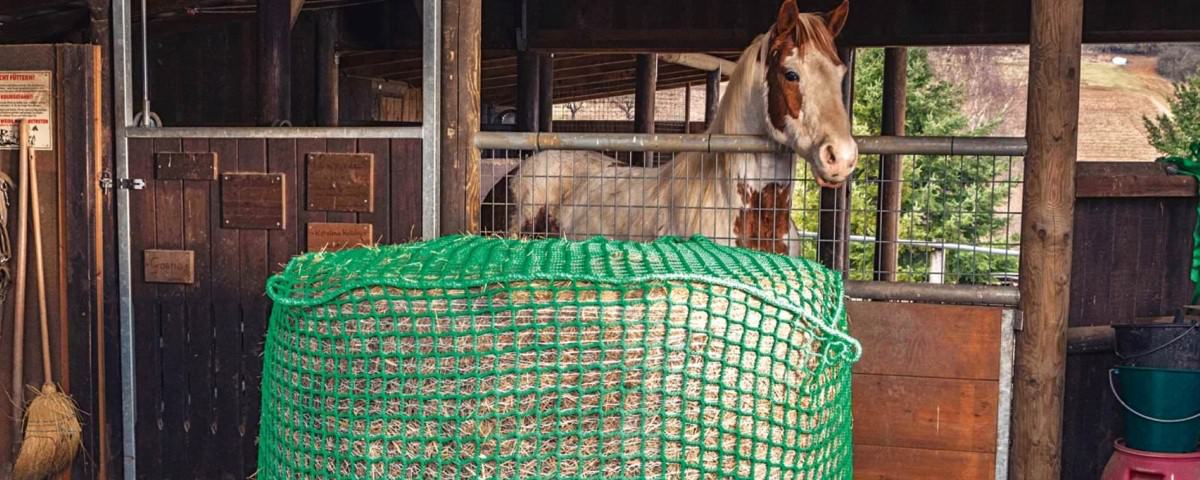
(19, 332)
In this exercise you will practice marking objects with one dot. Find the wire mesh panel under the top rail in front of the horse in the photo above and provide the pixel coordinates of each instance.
(959, 219)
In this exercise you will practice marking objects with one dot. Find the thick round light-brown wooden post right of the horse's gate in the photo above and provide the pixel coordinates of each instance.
(1052, 130)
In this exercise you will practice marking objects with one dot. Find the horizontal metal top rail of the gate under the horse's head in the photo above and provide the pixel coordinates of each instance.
(742, 143)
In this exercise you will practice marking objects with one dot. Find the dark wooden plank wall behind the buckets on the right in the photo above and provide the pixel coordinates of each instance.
(1132, 260)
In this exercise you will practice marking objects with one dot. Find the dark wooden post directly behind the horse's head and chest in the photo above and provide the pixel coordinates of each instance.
(833, 229)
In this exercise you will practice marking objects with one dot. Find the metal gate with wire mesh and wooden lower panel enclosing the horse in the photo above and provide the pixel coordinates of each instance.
(933, 392)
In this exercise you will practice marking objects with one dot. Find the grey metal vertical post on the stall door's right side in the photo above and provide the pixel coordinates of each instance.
(431, 122)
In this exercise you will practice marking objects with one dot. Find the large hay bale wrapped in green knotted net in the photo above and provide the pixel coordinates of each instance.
(470, 358)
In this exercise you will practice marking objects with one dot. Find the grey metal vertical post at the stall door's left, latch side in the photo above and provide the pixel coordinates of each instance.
(123, 98)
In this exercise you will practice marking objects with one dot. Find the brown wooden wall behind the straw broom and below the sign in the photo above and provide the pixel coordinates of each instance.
(67, 188)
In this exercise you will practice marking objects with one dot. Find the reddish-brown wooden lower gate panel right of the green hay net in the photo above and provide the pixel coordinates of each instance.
(932, 392)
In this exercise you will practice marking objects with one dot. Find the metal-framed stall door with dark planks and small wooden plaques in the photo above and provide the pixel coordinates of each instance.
(205, 217)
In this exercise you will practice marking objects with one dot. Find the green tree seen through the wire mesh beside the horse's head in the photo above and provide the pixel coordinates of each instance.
(945, 200)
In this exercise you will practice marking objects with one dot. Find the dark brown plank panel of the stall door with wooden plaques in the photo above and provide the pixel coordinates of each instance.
(200, 339)
